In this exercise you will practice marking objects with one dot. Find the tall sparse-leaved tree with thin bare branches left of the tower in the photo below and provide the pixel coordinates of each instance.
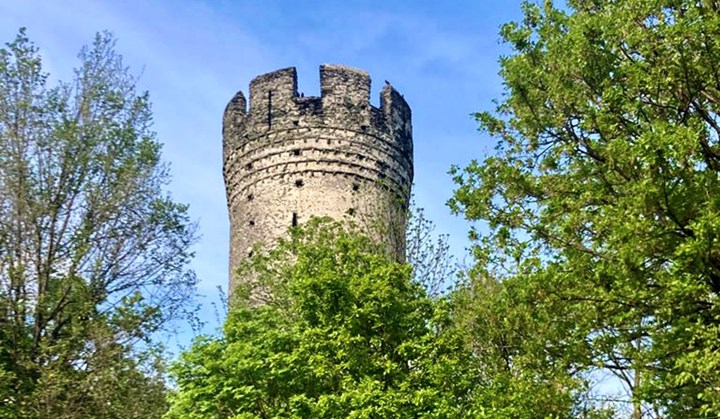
(93, 252)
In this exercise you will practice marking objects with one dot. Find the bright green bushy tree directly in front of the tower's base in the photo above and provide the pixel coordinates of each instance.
(343, 331)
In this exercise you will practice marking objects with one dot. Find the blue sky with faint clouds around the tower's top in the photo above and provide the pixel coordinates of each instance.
(193, 55)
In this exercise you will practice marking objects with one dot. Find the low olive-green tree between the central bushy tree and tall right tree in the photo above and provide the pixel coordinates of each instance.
(517, 374)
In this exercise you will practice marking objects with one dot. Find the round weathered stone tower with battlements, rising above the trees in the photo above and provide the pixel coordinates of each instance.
(289, 157)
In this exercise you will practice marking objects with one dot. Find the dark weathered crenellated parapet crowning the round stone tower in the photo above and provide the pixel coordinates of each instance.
(344, 103)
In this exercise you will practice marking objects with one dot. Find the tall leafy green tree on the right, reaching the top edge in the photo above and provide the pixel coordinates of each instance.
(604, 190)
